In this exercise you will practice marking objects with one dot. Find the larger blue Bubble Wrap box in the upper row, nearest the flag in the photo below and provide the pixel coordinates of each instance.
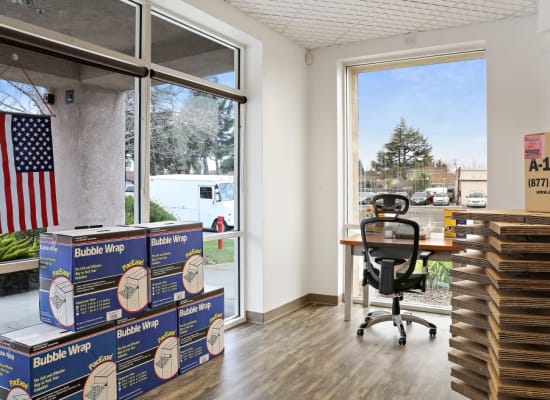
(92, 276)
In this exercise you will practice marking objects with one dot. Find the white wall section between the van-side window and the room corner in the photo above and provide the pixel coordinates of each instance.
(276, 153)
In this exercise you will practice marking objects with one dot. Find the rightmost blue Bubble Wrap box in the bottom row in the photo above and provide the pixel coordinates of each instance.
(200, 328)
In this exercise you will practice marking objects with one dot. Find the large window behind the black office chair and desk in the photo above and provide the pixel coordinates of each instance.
(413, 126)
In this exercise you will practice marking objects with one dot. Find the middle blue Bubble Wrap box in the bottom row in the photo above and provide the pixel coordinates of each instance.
(147, 351)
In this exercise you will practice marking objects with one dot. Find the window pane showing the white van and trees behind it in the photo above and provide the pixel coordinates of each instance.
(192, 156)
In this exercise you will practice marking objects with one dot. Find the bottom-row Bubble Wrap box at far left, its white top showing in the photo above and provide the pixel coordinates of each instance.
(46, 362)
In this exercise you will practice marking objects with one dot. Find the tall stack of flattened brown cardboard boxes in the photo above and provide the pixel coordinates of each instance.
(500, 342)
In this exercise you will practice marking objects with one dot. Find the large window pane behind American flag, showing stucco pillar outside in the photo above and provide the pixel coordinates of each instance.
(88, 146)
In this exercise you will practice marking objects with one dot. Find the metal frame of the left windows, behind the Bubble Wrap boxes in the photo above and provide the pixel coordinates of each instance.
(39, 39)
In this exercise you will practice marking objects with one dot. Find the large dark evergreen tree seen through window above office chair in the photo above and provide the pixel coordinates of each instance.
(407, 149)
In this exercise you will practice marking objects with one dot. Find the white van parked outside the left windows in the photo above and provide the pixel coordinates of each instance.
(196, 198)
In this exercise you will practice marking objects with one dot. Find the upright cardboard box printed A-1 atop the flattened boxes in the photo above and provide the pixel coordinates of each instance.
(536, 155)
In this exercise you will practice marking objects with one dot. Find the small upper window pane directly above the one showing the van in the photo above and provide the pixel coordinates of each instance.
(183, 49)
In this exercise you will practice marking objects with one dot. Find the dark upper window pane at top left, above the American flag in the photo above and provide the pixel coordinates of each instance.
(102, 18)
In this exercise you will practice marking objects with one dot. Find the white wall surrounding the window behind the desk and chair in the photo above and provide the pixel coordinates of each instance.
(518, 91)
